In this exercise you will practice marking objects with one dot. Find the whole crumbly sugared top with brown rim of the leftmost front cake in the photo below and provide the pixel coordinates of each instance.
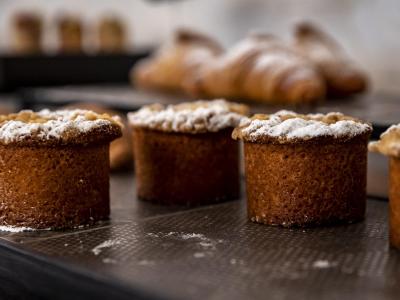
(62, 127)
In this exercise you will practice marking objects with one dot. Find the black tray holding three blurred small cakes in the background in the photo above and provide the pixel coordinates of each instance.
(61, 69)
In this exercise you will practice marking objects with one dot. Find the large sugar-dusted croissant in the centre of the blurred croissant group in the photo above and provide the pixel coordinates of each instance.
(260, 68)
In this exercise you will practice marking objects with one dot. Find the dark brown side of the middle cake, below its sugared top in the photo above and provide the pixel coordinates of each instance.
(186, 169)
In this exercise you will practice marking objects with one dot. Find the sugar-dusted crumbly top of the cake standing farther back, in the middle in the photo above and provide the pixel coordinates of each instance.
(190, 117)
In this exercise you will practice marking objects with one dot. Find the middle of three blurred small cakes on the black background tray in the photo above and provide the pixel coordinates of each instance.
(70, 34)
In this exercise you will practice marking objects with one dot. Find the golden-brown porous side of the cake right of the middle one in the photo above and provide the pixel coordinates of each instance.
(306, 184)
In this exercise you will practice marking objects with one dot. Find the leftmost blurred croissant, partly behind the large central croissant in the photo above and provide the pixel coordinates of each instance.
(176, 62)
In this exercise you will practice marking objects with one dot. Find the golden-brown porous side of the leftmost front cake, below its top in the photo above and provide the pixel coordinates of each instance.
(54, 187)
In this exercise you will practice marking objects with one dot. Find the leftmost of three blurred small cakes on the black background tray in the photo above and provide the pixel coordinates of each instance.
(26, 33)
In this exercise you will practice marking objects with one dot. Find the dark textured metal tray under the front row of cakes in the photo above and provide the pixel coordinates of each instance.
(210, 252)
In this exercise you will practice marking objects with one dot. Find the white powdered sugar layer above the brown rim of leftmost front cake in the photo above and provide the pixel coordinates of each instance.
(46, 124)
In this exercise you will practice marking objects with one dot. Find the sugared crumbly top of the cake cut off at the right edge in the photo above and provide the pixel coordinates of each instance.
(389, 142)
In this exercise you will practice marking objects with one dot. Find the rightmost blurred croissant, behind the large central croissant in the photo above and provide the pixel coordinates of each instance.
(343, 77)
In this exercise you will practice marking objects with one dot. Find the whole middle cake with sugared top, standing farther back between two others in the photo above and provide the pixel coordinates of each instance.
(184, 154)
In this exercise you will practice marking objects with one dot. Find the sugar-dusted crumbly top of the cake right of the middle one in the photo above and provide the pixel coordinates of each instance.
(288, 127)
